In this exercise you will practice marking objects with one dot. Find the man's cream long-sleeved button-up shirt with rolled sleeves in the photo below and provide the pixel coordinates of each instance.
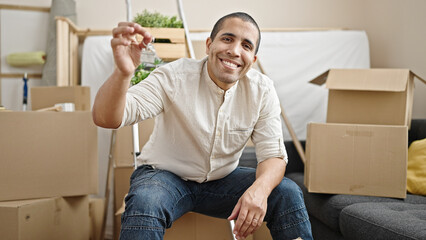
(201, 130)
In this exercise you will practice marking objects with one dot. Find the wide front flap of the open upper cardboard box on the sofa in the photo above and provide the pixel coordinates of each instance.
(392, 80)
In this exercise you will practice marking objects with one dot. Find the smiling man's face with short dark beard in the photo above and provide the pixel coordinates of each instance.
(232, 52)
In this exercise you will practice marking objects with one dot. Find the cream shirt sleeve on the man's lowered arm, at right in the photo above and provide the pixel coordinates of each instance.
(267, 134)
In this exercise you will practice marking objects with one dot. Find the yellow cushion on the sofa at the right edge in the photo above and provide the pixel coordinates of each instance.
(416, 172)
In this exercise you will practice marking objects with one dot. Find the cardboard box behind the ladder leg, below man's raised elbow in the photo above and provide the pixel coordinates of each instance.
(123, 149)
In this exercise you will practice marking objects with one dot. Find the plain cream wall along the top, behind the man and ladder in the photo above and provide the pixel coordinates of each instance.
(395, 28)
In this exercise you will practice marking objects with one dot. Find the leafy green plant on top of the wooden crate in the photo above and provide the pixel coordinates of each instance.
(147, 19)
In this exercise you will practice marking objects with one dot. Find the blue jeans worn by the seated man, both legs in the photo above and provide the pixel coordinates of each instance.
(158, 197)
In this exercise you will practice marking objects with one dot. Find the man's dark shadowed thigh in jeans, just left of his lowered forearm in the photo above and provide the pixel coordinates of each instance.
(218, 198)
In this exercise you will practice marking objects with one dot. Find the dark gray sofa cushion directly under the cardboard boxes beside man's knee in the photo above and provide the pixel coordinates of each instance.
(327, 207)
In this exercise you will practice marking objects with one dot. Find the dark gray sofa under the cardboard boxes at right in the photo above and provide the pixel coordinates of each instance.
(336, 216)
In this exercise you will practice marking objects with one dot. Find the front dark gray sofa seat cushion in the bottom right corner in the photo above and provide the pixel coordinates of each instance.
(391, 220)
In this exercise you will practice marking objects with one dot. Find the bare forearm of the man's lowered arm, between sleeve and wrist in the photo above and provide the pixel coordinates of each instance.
(269, 174)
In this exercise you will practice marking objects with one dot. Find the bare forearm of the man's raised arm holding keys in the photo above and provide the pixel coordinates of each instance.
(110, 101)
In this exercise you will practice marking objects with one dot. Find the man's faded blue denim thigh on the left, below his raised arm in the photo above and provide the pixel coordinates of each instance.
(159, 194)
